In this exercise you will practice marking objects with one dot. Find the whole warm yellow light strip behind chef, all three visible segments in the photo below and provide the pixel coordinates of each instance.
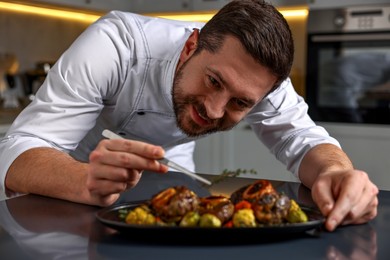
(89, 18)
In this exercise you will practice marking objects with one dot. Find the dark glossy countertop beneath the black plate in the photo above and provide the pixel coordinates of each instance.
(35, 227)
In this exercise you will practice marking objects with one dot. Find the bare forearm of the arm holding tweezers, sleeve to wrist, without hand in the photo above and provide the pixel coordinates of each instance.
(48, 172)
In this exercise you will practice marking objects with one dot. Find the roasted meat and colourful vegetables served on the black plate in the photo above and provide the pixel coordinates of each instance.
(255, 205)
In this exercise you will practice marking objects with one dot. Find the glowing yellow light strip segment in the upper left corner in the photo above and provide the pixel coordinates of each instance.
(84, 17)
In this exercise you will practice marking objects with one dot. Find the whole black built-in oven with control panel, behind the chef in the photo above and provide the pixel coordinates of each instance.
(348, 64)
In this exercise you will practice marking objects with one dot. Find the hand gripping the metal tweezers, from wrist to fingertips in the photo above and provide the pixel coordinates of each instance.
(117, 165)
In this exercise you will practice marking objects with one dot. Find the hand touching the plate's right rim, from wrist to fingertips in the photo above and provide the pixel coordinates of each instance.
(345, 197)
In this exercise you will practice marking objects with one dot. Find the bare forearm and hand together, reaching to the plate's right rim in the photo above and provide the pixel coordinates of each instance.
(344, 195)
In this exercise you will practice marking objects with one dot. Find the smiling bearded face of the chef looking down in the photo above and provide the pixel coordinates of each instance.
(213, 92)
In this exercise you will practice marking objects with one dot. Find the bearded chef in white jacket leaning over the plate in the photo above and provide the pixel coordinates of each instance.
(163, 84)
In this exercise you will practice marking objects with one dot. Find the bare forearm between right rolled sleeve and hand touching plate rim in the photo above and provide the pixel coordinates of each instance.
(322, 158)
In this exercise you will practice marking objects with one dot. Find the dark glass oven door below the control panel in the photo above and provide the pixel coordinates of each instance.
(348, 77)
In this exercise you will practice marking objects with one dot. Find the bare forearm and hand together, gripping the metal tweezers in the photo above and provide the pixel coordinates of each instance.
(115, 165)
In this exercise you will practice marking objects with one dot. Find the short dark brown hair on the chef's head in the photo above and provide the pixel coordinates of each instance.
(261, 29)
